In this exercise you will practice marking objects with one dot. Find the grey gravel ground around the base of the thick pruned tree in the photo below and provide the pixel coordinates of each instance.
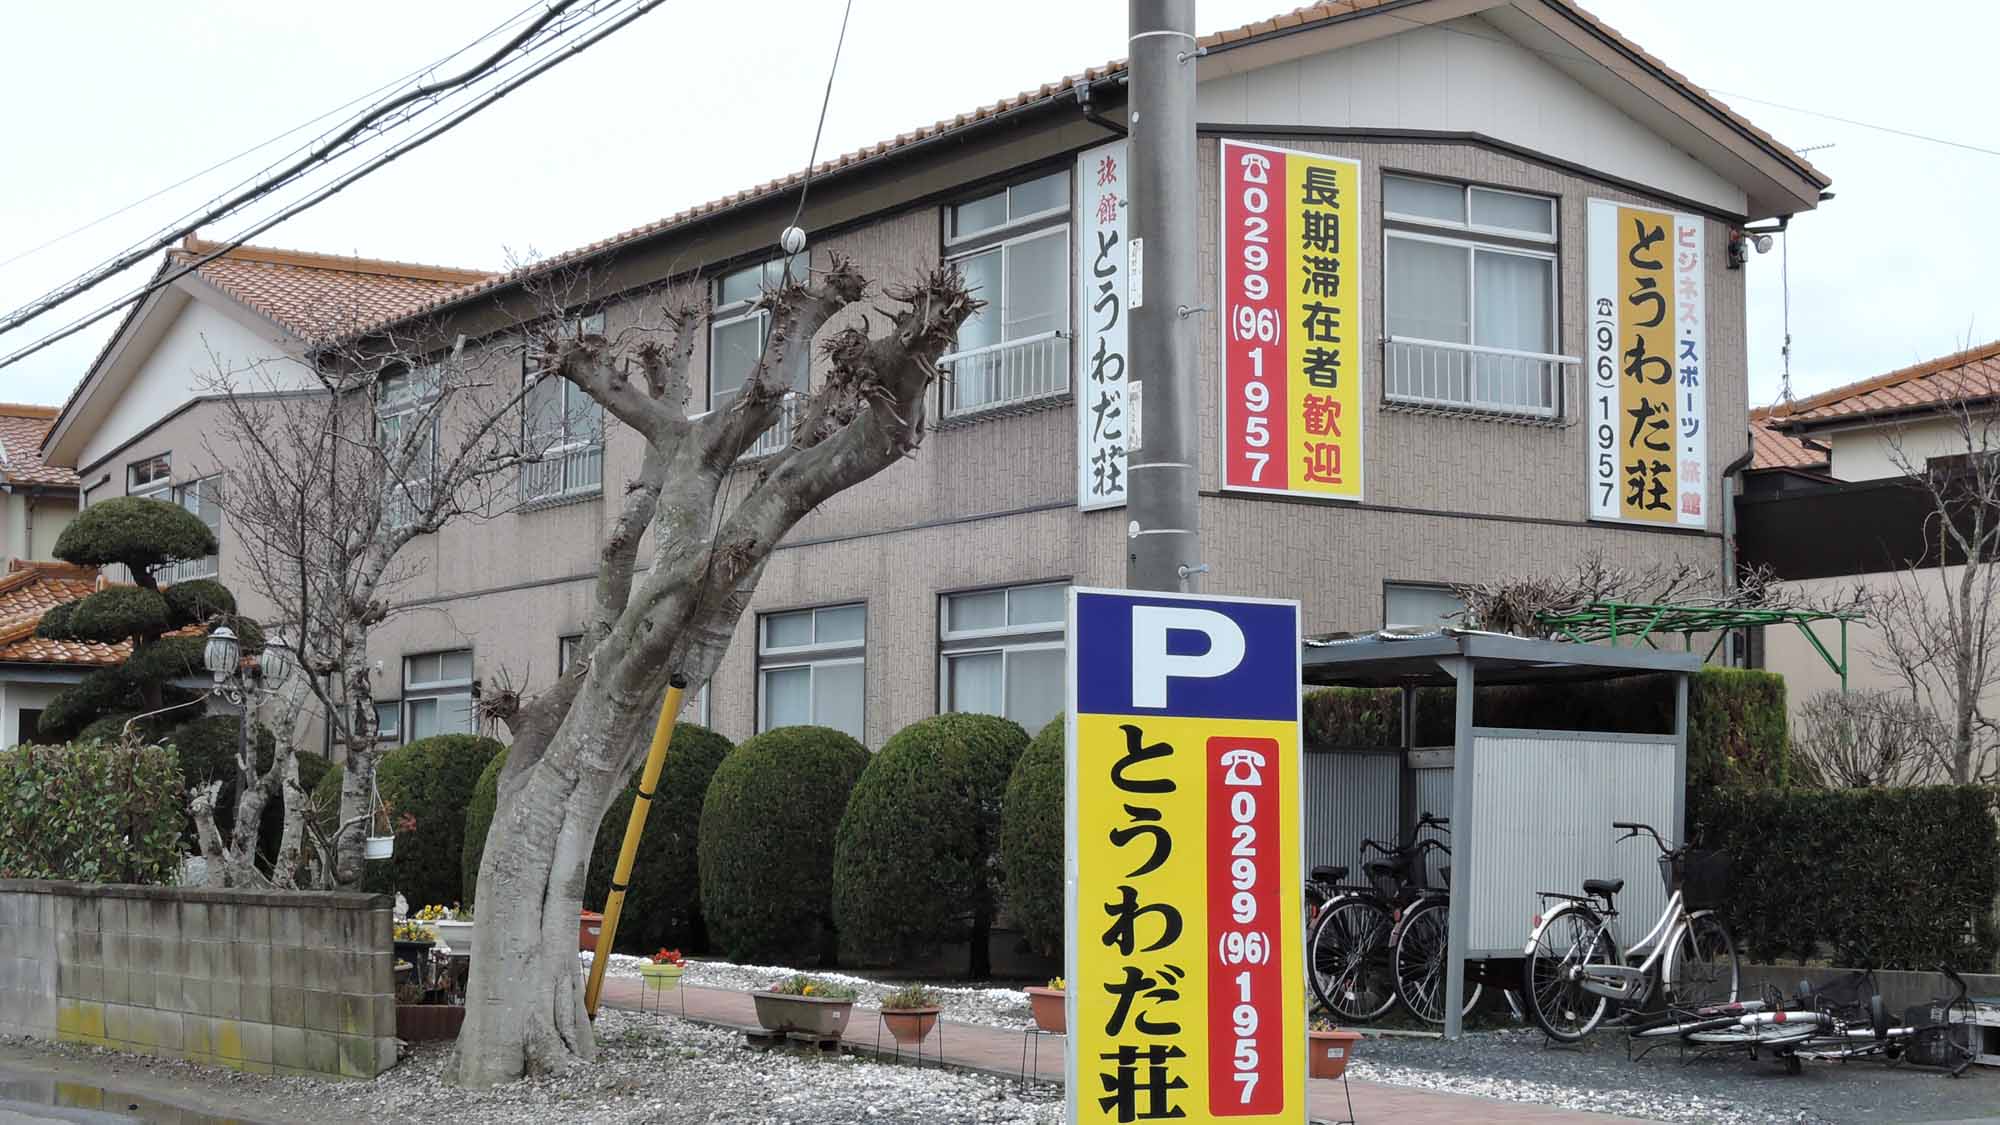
(649, 1070)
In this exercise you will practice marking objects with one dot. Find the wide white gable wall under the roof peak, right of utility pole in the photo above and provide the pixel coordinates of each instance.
(1459, 79)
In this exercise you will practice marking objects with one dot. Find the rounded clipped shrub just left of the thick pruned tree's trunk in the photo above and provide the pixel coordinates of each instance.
(431, 784)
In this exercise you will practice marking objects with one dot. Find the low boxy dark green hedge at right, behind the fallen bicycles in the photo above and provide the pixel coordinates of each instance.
(1871, 878)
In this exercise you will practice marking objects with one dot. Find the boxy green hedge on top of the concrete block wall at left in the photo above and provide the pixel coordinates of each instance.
(91, 812)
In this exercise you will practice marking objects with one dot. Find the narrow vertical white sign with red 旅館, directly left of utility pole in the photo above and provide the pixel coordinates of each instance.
(1107, 399)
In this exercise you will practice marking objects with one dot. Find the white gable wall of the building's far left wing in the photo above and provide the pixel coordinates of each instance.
(201, 339)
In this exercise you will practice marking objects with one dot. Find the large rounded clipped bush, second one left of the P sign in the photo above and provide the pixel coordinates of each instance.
(917, 862)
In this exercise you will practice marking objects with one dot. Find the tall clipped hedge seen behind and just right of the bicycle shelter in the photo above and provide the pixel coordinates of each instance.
(1737, 718)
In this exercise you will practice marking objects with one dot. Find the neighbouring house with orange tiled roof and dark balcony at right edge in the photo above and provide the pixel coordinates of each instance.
(1831, 511)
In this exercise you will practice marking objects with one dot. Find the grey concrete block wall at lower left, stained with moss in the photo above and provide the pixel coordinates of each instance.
(269, 984)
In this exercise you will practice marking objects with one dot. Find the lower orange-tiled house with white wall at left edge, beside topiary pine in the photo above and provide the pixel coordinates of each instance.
(35, 670)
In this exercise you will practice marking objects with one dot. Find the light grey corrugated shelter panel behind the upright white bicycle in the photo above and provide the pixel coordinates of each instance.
(1543, 822)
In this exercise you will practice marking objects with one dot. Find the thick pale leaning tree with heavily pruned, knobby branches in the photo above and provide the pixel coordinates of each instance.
(713, 531)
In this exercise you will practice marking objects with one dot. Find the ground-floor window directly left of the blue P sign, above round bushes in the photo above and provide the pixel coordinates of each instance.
(1001, 654)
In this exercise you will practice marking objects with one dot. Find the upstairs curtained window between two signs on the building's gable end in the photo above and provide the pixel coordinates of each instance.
(1471, 297)
